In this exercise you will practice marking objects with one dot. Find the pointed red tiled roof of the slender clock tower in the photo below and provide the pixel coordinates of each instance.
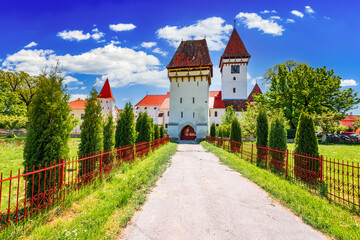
(235, 47)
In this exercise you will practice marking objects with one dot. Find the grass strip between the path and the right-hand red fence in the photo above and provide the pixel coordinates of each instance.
(331, 219)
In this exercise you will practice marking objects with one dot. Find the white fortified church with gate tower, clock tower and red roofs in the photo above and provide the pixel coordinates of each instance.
(190, 108)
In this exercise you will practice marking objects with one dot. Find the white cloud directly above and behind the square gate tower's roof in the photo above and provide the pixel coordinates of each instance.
(213, 29)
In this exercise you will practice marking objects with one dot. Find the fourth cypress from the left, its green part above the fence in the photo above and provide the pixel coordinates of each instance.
(125, 130)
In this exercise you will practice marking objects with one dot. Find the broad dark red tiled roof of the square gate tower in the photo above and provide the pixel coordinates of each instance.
(193, 53)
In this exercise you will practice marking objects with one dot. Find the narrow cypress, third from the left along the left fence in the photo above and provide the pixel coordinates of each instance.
(109, 139)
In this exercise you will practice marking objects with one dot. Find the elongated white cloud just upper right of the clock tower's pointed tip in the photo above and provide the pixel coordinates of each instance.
(253, 20)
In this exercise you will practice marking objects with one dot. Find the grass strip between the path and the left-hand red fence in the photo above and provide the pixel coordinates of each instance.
(104, 212)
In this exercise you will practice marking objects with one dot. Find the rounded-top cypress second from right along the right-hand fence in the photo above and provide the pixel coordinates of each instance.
(277, 140)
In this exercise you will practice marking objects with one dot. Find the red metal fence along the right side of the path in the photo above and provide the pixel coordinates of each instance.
(336, 179)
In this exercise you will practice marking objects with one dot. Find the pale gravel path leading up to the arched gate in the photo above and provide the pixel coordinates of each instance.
(199, 198)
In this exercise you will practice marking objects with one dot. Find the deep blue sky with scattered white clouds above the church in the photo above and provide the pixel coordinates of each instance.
(131, 42)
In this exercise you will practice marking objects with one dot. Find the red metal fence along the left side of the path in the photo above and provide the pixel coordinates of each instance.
(35, 190)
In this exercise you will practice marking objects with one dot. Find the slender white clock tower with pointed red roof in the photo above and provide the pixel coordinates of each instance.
(233, 68)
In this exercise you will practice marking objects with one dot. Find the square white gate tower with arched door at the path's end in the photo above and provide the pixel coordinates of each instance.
(190, 71)
